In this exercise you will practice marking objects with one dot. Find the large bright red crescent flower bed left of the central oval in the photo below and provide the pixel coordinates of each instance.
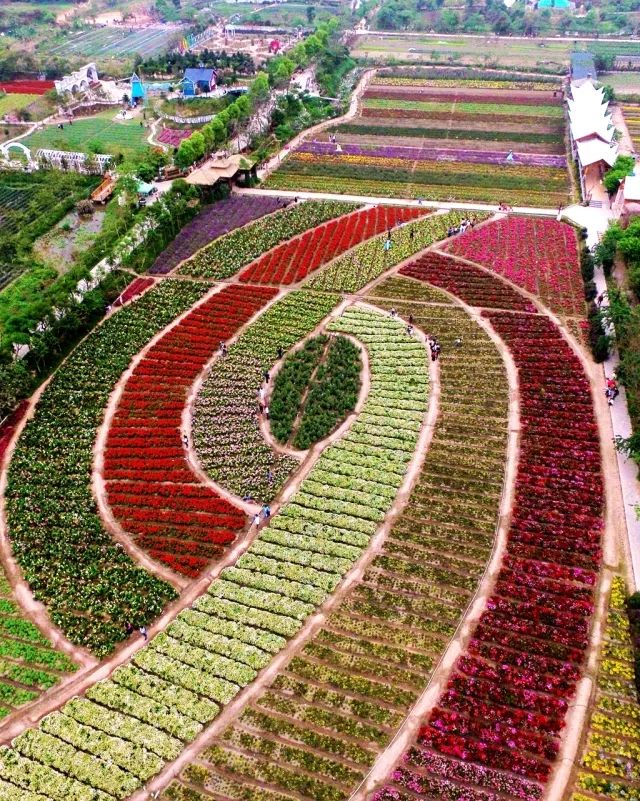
(152, 491)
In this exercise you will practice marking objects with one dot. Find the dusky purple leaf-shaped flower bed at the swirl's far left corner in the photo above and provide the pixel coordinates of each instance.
(212, 222)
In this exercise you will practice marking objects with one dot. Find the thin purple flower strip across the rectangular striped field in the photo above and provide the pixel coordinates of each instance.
(433, 154)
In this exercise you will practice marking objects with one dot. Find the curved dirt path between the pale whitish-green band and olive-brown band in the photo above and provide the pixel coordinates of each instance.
(317, 620)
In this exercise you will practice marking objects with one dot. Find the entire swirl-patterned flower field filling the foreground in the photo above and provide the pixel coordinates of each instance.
(267, 520)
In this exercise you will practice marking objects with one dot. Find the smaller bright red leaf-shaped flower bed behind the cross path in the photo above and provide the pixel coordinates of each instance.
(295, 259)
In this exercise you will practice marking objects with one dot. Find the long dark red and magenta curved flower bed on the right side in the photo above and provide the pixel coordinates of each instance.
(495, 731)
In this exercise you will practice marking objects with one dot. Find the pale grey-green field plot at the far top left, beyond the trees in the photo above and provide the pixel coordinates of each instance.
(118, 42)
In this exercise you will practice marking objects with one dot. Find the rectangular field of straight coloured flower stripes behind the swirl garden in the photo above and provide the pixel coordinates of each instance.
(425, 139)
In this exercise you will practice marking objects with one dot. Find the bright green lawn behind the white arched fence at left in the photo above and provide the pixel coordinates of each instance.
(125, 137)
